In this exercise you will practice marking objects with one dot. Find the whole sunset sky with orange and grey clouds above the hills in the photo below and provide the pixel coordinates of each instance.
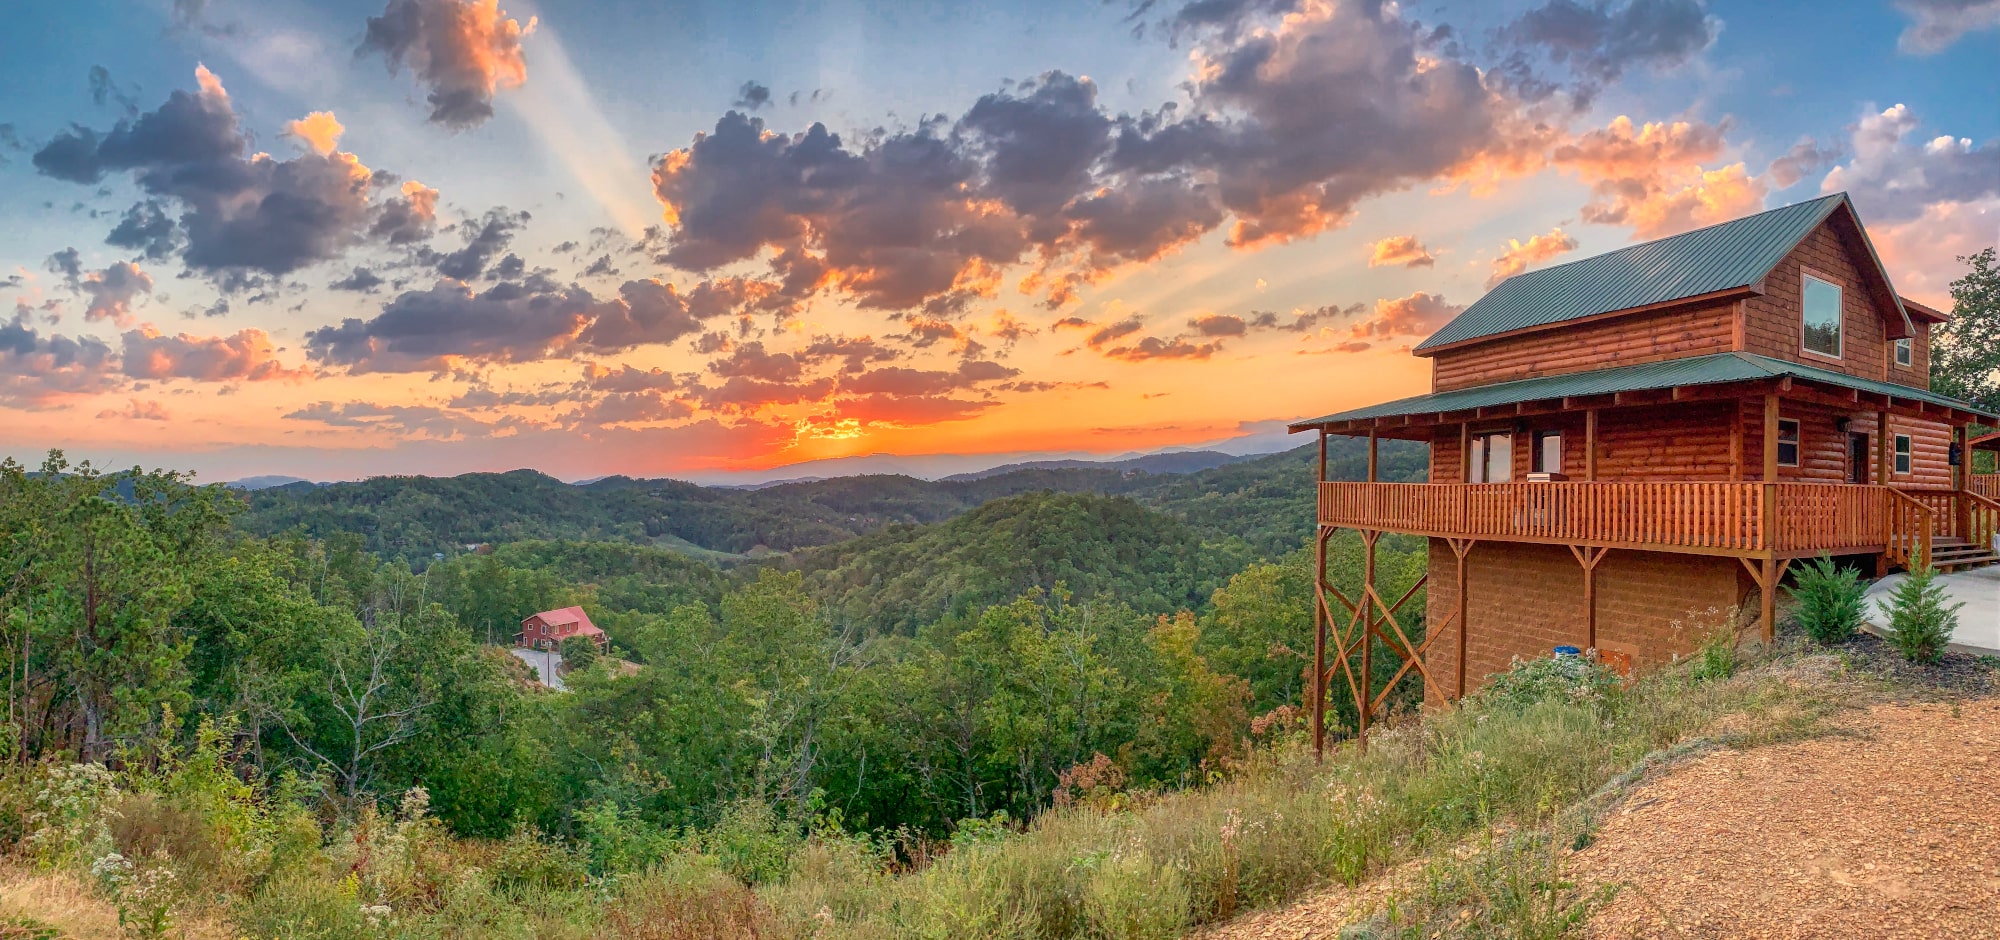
(693, 239)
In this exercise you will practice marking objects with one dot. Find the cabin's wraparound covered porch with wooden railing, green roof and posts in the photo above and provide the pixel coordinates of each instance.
(1735, 475)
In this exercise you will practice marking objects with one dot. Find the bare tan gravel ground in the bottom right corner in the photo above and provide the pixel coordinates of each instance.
(1889, 831)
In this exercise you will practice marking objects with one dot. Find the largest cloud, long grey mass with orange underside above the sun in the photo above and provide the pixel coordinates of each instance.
(1295, 115)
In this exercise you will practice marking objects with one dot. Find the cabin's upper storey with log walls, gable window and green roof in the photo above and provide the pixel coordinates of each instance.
(1799, 283)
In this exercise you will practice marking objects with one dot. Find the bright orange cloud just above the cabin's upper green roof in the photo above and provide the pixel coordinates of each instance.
(1651, 179)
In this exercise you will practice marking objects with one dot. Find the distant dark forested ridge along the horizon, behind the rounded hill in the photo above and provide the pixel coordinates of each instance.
(1265, 501)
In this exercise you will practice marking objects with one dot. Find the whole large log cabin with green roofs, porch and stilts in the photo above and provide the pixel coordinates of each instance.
(1659, 431)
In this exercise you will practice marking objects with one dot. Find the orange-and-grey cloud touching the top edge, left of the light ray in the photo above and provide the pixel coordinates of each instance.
(465, 51)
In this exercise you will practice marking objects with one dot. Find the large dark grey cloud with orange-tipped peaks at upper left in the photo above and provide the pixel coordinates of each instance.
(241, 215)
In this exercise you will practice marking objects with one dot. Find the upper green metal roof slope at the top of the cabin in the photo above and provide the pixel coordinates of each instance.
(1723, 257)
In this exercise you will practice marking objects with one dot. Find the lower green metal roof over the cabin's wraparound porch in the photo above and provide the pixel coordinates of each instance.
(1695, 371)
